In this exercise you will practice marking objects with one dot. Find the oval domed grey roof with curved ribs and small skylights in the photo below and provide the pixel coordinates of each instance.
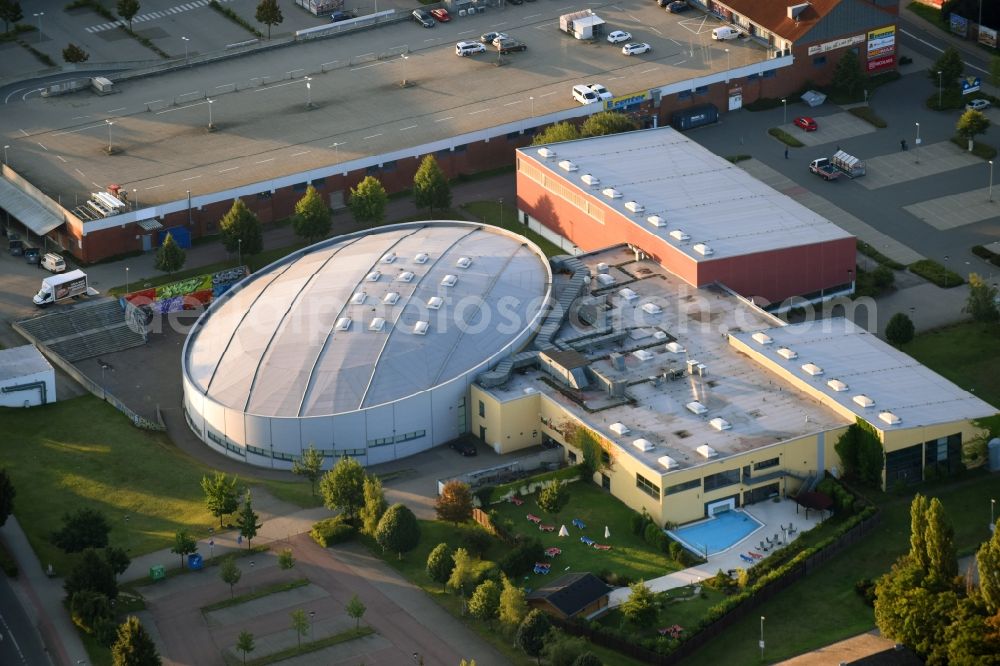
(300, 338)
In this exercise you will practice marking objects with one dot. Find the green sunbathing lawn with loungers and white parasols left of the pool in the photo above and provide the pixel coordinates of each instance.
(629, 555)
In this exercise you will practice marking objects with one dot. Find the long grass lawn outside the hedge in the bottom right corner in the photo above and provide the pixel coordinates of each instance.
(823, 607)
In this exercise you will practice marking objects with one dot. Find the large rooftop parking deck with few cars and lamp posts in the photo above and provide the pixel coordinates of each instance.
(265, 128)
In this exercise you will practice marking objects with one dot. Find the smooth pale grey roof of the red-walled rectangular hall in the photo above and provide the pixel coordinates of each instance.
(709, 198)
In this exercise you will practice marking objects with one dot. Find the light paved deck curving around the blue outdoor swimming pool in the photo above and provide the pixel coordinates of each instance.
(771, 514)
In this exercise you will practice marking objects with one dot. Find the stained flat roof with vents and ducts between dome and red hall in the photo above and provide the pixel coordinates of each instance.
(758, 407)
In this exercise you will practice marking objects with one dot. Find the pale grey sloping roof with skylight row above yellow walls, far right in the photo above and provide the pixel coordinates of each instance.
(868, 366)
